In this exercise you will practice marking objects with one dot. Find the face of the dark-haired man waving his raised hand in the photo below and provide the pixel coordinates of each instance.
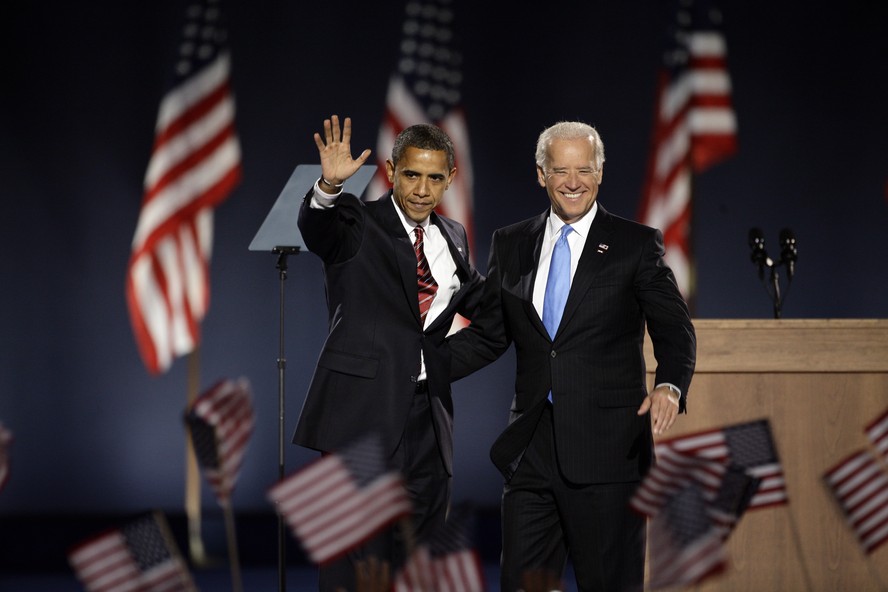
(419, 181)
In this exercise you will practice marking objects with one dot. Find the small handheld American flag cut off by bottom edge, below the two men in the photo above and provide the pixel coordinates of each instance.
(446, 561)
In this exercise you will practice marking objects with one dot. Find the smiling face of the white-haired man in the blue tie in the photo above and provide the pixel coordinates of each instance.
(570, 177)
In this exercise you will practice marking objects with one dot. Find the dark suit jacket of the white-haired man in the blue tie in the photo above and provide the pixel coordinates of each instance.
(595, 365)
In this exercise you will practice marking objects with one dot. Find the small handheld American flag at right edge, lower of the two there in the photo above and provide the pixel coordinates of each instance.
(860, 486)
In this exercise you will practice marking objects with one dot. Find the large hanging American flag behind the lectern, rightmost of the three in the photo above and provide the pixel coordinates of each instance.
(694, 128)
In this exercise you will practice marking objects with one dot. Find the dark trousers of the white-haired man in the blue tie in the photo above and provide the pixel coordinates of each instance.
(547, 519)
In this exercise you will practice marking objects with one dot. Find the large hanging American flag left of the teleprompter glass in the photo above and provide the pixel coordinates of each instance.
(194, 165)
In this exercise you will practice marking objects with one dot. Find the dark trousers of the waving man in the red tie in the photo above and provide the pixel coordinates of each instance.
(429, 485)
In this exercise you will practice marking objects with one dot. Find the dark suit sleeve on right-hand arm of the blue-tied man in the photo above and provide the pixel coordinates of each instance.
(668, 319)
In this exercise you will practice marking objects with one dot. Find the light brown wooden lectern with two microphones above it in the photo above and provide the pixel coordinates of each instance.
(819, 382)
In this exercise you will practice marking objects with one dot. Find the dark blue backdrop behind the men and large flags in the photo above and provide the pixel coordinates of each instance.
(82, 81)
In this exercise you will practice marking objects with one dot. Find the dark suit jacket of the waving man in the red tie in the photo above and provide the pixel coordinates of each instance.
(366, 372)
